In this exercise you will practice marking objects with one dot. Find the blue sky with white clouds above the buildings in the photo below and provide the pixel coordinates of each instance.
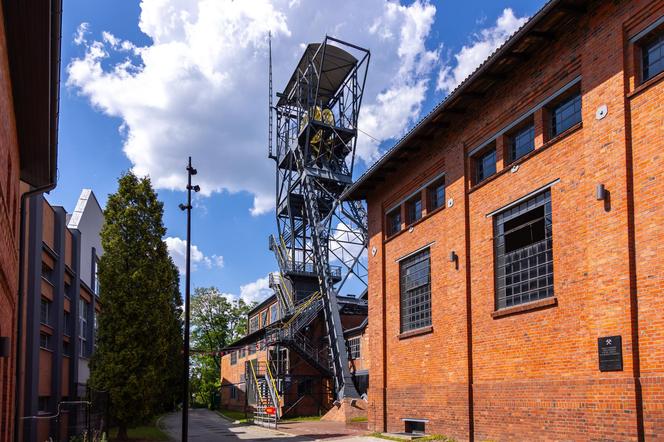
(144, 84)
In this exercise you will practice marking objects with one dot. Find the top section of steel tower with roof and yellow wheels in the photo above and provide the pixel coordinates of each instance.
(326, 89)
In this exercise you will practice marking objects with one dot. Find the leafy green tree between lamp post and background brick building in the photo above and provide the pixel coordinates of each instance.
(216, 322)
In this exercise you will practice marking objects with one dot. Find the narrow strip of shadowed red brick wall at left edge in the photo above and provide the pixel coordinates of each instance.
(9, 208)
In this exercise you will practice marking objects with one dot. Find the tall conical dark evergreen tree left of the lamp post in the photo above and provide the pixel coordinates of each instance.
(139, 339)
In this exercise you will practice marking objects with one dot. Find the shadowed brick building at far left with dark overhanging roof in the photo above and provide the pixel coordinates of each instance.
(29, 87)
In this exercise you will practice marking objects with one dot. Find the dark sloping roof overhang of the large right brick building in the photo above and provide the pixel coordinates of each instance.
(541, 28)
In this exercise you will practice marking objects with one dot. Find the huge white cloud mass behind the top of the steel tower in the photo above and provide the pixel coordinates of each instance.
(200, 87)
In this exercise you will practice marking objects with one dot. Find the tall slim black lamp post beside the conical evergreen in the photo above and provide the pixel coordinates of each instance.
(185, 396)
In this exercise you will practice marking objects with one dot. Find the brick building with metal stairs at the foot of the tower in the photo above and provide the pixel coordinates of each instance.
(301, 372)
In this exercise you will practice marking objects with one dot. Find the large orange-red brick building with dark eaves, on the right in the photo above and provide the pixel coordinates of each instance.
(517, 239)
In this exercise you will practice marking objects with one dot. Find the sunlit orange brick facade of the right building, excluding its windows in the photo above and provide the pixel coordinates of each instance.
(531, 372)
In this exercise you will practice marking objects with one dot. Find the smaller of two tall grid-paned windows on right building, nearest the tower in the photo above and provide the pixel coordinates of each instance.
(415, 291)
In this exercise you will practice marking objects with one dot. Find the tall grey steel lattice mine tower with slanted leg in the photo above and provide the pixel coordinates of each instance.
(321, 243)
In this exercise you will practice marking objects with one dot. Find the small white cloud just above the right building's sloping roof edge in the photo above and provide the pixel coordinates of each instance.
(482, 46)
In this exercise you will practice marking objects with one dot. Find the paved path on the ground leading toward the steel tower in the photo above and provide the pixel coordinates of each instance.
(208, 426)
